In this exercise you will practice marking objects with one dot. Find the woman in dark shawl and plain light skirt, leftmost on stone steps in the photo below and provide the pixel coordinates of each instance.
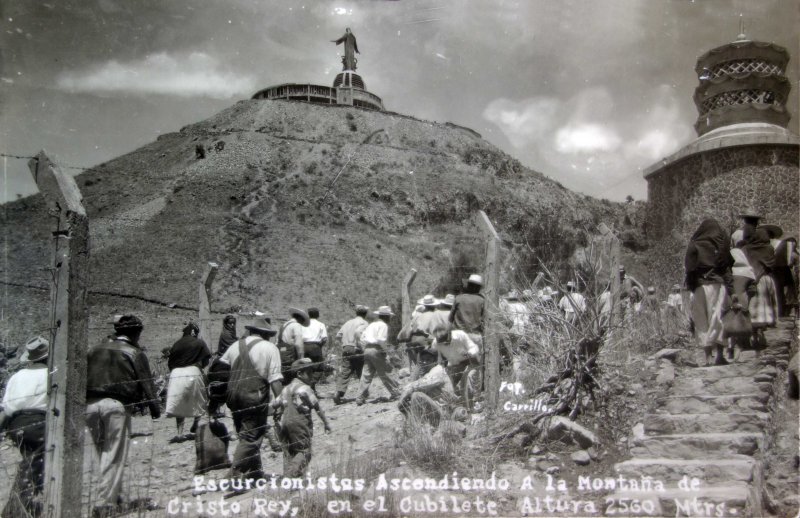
(708, 277)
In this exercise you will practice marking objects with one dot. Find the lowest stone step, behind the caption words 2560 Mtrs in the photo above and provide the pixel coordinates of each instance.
(728, 500)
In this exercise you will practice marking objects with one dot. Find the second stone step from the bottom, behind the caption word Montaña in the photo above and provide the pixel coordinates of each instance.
(712, 471)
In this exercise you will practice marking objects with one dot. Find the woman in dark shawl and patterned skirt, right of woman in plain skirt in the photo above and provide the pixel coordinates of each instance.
(764, 304)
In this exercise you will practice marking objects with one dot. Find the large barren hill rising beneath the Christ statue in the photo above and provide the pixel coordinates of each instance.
(300, 204)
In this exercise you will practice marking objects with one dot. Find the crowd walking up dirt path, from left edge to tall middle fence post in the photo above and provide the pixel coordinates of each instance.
(268, 373)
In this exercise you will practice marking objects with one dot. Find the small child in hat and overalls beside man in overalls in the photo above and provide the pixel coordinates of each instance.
(293, 406)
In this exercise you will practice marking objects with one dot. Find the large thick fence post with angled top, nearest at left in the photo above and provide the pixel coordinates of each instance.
(68, 338)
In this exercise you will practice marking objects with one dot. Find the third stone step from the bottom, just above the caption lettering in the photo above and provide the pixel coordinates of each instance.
(696, 445)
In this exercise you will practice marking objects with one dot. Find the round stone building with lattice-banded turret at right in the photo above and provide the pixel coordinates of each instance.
(744, 158)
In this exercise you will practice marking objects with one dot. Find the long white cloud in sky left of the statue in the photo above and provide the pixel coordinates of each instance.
(196, 74)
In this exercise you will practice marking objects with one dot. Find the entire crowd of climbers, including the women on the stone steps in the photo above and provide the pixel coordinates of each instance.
(738, 285)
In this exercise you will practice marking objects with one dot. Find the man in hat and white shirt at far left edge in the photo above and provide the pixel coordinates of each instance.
(25, 407)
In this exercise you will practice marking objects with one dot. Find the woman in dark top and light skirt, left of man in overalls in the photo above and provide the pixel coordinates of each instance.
(186, 392)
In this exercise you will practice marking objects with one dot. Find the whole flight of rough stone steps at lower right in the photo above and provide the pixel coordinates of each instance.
(709, 425)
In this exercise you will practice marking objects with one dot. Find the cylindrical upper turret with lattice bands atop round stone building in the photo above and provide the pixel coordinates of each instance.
(740, 82)
